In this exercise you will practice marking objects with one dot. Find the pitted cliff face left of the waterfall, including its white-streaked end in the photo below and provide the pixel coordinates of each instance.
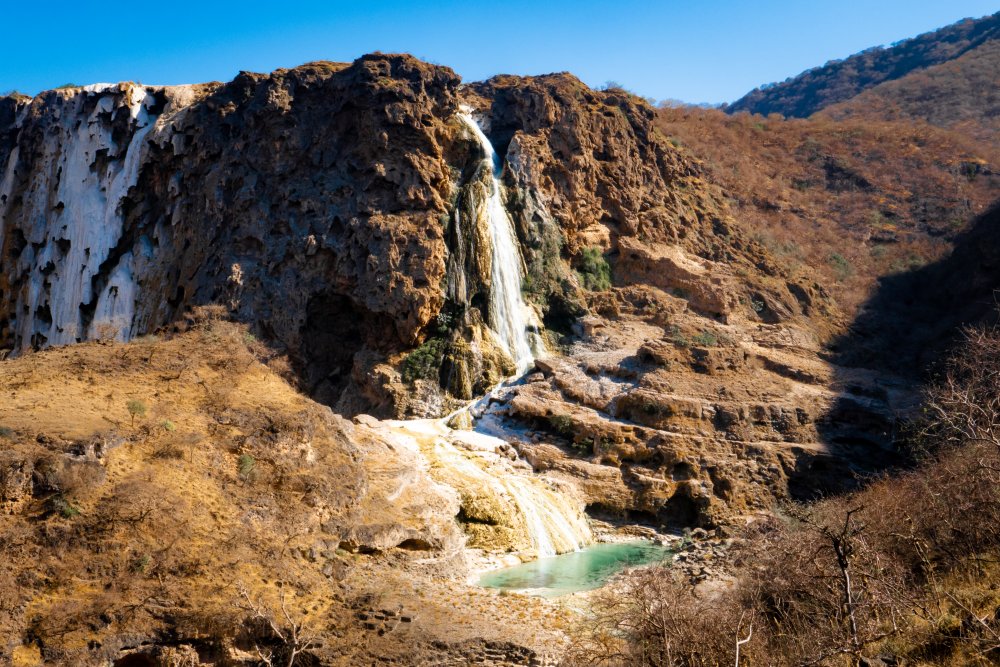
(310, 201)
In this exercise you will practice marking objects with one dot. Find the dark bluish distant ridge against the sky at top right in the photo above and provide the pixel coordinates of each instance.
(840, 80)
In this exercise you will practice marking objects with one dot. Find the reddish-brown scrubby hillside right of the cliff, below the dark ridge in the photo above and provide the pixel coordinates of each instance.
(854, 201)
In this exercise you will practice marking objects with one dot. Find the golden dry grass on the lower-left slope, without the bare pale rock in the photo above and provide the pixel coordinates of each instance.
(139, 528)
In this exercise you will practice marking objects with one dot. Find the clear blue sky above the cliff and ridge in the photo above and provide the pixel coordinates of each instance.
(709, 51)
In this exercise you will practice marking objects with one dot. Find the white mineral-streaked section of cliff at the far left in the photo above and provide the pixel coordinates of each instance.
(70, 159)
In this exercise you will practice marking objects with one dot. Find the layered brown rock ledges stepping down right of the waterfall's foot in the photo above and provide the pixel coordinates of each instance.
(679, 419)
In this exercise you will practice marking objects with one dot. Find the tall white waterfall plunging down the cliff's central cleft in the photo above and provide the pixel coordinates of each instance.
(509, 316)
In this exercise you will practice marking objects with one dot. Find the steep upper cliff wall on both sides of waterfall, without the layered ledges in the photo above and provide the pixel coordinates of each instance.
(321, 204)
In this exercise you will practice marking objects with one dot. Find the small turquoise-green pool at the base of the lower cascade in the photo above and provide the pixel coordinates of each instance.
(583, 570)
